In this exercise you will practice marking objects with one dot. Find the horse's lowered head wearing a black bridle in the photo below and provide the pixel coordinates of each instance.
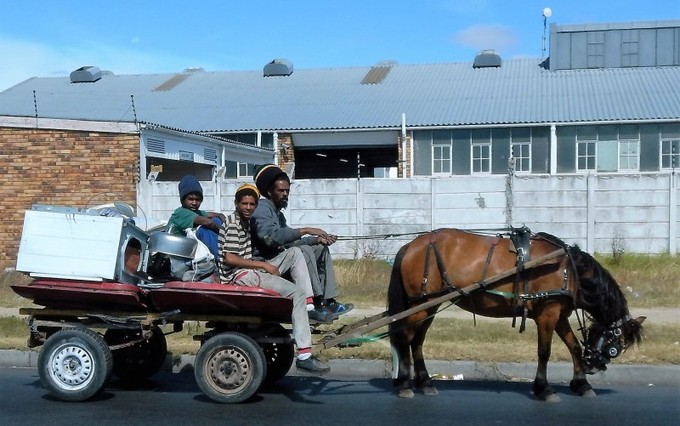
(604, 342)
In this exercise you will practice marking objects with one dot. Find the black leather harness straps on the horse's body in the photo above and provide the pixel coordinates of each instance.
(521, 241)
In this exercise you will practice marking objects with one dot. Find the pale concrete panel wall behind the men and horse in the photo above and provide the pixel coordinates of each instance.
(601, 213)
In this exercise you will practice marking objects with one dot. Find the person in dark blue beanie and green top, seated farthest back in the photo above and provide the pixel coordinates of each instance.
(189, 215)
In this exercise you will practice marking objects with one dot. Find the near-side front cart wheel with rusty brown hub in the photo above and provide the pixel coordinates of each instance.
(230, 367)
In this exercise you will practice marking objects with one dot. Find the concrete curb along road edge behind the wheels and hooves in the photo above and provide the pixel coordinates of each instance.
(558, 372)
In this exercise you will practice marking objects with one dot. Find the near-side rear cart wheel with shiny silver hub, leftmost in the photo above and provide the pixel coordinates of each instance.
(74, 364)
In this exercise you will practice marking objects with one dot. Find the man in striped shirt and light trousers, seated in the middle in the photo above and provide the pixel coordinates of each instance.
(237, 266)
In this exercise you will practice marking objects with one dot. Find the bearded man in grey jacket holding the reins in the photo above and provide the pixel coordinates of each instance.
(271, 236)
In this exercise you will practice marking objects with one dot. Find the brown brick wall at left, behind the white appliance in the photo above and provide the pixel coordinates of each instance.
(61, 167)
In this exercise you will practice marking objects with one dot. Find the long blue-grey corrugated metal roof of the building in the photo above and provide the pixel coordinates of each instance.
(447, 94)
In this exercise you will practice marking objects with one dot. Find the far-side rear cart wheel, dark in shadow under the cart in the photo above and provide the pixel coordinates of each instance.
(141, 360)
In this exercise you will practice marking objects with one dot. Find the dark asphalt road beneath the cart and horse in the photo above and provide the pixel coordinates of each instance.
(174, 398)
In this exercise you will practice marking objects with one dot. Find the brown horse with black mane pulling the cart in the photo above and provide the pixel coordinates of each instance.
(450, 259)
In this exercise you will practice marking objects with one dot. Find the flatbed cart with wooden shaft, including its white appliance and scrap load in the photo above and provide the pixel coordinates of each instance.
(93, 327)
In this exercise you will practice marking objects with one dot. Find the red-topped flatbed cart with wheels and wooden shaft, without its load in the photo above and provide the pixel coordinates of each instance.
(246, 343)
